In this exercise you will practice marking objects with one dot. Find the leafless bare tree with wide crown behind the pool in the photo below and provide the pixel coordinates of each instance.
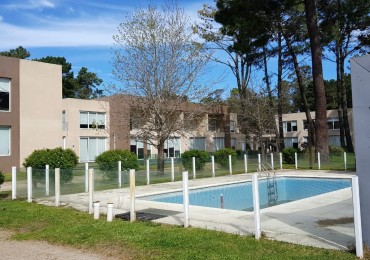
(160, 68)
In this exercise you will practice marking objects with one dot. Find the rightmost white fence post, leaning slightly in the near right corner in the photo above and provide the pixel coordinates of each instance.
(357, 217)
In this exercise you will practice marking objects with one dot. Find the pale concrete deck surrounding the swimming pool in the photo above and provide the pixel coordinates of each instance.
(295, 222)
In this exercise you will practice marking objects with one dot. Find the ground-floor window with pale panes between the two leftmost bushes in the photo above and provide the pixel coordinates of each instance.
(90, 147)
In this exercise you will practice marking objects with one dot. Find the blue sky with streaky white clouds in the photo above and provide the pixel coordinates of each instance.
(82, 30)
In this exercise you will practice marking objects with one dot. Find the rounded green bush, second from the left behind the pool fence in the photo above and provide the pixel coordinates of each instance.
(108, 161)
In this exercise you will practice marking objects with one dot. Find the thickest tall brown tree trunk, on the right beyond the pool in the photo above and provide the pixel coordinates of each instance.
(321, 127)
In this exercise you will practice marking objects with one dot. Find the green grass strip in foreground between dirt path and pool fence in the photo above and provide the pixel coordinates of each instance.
(143, 240)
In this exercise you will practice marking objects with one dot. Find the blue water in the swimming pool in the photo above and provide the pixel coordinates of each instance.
(239, 196)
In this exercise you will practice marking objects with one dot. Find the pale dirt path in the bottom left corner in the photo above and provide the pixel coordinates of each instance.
(36, 250)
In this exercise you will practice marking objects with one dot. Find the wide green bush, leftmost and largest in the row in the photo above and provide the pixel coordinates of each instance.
(64, 159)
